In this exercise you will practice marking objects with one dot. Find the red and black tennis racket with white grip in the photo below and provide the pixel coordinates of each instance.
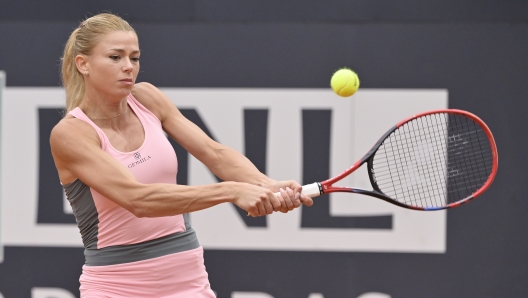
(434, 160)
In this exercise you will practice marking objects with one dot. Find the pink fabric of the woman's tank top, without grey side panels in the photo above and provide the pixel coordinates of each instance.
(154, 162)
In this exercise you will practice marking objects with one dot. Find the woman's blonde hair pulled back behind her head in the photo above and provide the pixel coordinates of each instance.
(82, 40)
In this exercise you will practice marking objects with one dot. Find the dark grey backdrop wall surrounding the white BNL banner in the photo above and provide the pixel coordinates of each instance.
(476, 50)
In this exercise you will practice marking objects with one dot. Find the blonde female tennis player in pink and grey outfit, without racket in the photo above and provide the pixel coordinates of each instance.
(119, 172)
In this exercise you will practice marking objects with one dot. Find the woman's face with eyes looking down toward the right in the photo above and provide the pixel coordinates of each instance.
(113, 64)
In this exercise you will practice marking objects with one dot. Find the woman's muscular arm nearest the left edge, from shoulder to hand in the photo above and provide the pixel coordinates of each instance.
(77, 154)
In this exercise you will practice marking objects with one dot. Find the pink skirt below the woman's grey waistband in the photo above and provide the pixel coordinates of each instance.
(176, 275)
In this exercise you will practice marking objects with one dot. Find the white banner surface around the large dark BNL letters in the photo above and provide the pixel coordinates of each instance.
(357, 123)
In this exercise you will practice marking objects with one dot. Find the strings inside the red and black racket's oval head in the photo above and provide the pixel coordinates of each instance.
(434, 160)
